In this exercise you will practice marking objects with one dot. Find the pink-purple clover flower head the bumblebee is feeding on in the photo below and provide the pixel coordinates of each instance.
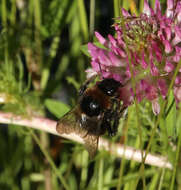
(146, 47)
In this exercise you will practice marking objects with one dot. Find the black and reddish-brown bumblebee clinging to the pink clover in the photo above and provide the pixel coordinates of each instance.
(98, 110)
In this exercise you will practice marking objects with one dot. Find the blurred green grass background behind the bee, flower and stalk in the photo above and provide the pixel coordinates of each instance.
(42, 64)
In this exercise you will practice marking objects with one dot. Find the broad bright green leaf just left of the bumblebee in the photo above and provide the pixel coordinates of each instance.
(57, 108)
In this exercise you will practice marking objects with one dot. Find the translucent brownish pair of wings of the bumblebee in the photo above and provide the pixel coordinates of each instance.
(70, 123)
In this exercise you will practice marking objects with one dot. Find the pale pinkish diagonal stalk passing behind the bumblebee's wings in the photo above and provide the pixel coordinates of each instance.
(119, 150)
